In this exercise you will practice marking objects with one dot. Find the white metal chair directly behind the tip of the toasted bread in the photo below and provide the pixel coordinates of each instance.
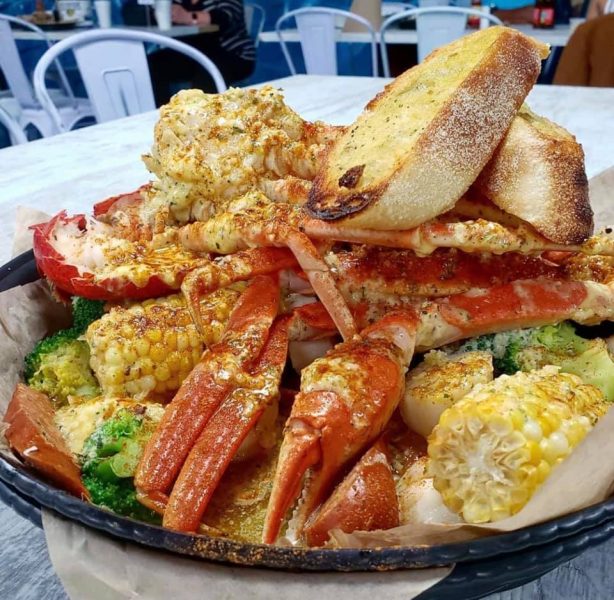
(436, 26)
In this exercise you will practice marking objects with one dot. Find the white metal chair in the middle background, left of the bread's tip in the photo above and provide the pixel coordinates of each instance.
(318, 29)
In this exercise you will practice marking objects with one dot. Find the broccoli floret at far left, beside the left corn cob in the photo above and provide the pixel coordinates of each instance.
(59, 365)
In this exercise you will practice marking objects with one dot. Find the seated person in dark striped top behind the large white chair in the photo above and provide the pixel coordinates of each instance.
(231, 48)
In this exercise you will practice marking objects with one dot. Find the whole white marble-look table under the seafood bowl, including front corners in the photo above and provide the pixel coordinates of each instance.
(76, 169)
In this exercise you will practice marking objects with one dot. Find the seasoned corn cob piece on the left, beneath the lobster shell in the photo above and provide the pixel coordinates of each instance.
(146, 350)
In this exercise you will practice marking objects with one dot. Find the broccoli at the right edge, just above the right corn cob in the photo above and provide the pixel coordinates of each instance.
(559, 345)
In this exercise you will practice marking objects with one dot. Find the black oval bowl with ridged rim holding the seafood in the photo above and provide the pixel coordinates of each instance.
(563, 537)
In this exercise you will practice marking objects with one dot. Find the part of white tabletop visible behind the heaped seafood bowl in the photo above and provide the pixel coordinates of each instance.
(78, 168)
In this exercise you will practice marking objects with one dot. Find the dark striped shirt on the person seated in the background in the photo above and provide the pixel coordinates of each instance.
(229, 16)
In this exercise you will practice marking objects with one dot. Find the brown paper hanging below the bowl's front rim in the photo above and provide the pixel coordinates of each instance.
(110, 569)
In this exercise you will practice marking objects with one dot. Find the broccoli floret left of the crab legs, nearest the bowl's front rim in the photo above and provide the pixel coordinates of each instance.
(110, 457)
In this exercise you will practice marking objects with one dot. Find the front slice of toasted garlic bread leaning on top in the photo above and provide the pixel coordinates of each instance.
(446, 150)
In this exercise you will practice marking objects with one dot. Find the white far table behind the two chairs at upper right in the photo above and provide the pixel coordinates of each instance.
(557, 36)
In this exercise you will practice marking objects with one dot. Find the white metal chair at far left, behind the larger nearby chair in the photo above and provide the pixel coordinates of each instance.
(23, 105)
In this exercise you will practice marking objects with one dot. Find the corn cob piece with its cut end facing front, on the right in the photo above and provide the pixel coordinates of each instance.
(494, 447)
